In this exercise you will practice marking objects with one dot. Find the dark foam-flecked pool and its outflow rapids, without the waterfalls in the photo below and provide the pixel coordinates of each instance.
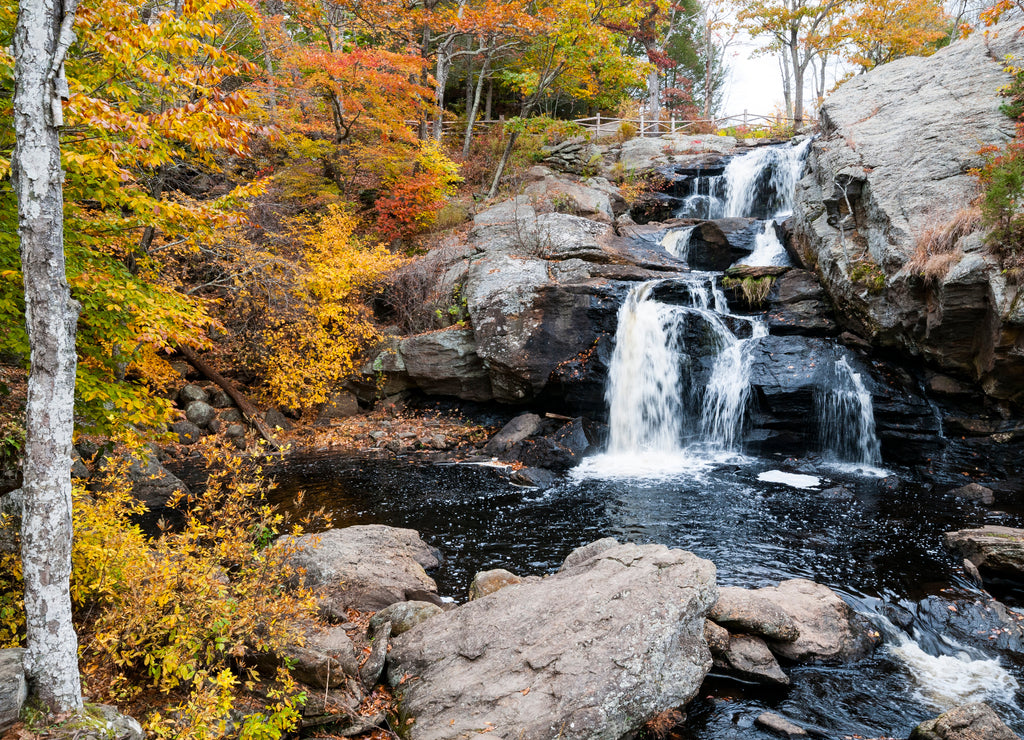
(878, 543)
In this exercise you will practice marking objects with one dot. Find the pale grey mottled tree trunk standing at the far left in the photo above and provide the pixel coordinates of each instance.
(41, 39)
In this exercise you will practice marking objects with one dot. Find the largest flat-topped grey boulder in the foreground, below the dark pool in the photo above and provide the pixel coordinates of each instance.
(590, 652)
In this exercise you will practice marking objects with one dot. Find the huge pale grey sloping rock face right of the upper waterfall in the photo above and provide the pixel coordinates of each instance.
(893, 167)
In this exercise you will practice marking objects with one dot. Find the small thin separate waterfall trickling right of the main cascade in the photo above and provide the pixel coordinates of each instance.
(846, 419)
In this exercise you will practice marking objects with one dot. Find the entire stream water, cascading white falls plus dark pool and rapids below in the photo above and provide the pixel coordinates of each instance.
(674, 471)
